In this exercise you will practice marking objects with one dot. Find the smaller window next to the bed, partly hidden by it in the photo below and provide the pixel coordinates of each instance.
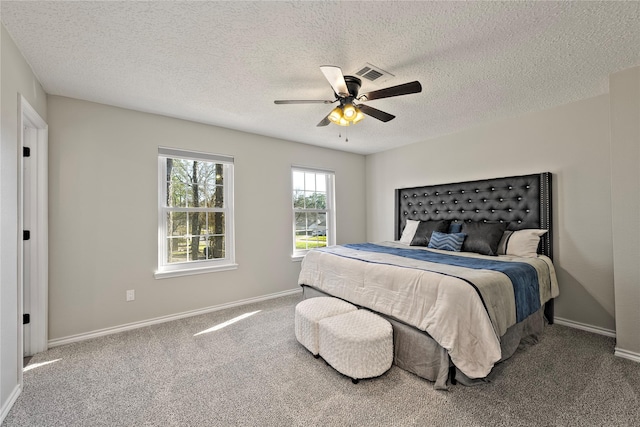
(313, 209)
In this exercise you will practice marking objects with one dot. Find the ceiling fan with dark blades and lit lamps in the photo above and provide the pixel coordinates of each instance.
(351, 110)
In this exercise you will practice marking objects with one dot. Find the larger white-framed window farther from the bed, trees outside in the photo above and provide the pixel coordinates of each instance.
(195, 213)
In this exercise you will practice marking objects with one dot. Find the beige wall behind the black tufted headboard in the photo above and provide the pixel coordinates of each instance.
(572, 142)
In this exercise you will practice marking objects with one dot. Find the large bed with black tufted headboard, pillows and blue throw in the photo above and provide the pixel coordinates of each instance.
(468, 277)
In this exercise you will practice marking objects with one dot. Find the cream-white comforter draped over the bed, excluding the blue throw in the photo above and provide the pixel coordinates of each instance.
(446, 307)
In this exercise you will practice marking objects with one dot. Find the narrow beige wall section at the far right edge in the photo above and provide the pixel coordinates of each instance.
(625, 160)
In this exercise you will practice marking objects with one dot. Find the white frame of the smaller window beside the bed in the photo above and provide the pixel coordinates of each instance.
(330, 208)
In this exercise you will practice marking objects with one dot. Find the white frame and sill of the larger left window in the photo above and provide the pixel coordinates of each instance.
(165, 269)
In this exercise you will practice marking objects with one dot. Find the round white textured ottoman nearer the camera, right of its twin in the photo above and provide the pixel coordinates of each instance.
(358, 344)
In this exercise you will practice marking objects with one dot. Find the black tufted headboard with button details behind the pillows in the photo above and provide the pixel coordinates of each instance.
(520, 201)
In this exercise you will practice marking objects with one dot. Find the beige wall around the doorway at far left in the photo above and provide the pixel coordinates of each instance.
(17, 77)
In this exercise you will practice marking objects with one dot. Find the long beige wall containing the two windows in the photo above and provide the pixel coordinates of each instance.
(103, 214)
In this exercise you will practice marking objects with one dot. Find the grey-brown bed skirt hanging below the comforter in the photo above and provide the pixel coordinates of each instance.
(415, 351)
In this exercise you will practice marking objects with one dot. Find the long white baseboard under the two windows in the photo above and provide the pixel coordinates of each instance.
(135, 325)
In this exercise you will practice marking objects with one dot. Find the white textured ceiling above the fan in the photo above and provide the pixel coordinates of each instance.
(224, 63)
